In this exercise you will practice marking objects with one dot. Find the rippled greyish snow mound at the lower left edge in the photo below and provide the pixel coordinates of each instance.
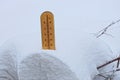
(8, 66)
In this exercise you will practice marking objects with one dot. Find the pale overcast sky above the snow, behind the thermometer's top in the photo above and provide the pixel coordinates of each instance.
(22, 16)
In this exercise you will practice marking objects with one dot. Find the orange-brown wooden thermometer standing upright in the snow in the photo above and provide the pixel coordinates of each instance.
(47, 30)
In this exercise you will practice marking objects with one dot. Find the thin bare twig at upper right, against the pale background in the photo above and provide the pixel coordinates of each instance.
(104, 30)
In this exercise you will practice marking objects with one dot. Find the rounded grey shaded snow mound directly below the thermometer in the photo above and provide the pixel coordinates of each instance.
(41, 66)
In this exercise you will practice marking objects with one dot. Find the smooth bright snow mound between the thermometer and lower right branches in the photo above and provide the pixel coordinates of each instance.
(83, 53)
